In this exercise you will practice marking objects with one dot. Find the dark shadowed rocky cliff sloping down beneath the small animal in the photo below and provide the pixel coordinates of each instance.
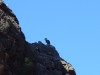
(18, 57)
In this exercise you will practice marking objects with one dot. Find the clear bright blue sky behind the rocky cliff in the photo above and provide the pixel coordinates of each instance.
(72, 26)
